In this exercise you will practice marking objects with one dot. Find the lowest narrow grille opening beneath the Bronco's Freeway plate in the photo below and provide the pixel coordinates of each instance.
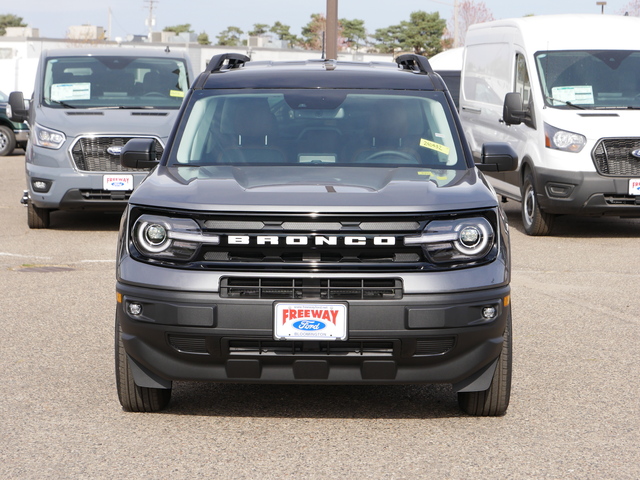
(270, 347)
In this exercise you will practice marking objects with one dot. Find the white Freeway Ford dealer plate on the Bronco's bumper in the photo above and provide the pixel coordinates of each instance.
(310, 321)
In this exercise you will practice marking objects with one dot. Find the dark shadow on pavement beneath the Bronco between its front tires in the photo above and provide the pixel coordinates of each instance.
(314, 401)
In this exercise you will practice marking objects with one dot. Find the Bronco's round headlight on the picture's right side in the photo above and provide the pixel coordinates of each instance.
(460, 240)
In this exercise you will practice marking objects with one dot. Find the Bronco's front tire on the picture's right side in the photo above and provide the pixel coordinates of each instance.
(494, 401)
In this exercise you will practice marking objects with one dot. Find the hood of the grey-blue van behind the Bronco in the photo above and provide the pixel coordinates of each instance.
(127, 122)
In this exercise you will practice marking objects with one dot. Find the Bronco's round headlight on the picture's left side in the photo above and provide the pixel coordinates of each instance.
(169, 238)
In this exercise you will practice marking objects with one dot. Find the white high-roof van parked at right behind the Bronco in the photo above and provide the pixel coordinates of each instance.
(564, 91)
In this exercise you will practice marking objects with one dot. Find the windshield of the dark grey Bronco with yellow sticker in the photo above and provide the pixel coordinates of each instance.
(318, 127)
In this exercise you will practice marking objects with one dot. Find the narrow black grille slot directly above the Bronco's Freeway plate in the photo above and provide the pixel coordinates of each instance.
(311, 288)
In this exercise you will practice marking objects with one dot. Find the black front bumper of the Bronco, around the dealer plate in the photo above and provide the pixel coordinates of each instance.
(434, 338)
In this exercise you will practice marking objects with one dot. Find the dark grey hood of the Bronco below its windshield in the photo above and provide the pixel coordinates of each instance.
(313, 189)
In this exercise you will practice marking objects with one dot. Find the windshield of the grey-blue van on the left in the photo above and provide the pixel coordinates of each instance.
(114, 82)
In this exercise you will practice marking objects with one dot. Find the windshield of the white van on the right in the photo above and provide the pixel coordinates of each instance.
(590, 78)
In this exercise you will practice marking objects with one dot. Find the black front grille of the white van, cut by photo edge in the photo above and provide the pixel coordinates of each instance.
(612, 157)
